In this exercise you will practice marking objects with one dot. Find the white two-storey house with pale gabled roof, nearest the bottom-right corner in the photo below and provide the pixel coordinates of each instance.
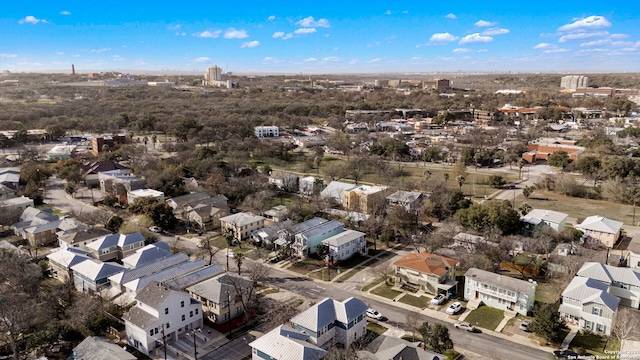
(587, 304)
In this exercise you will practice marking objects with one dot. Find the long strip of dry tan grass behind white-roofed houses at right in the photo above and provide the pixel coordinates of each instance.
(577, 207)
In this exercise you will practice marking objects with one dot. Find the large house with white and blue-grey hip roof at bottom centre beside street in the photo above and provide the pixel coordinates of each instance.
(331, 322)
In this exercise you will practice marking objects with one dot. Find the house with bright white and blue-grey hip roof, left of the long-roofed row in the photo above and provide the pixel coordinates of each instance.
(93, 275)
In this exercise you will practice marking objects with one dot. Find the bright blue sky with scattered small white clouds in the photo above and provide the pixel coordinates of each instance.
(321, 36)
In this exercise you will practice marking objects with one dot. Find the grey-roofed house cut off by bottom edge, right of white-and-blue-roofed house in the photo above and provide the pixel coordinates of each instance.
(395, 348)
